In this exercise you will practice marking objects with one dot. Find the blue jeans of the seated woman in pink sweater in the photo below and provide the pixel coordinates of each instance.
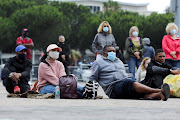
(51, 89)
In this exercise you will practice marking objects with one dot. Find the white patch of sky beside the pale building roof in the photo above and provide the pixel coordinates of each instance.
(154, 5)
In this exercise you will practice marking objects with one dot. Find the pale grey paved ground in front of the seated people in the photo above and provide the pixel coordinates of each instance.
(102, 109)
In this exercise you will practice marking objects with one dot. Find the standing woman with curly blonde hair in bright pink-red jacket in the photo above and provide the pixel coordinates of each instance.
(171, 45)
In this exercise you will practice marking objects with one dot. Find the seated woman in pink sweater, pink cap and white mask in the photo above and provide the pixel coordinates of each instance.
(50, 70)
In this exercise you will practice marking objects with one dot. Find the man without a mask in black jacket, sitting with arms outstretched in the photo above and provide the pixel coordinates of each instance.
(157, 70)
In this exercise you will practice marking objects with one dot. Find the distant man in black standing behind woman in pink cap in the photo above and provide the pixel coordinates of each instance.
(64, 54)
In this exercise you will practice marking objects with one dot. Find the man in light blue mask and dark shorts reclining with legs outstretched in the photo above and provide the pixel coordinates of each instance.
(110, 73)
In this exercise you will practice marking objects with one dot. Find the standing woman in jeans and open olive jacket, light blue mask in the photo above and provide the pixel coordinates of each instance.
(134, 50)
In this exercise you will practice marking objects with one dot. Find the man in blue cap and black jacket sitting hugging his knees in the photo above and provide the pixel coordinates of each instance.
(17, 71)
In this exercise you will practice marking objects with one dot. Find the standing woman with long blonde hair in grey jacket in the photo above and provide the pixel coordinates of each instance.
(103, 37)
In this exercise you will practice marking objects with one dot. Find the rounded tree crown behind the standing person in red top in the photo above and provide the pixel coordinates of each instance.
(43, 22)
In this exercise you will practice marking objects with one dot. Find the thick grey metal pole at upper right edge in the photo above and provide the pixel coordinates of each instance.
(177, 15)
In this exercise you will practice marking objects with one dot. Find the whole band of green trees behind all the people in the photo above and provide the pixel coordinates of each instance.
(47, 20)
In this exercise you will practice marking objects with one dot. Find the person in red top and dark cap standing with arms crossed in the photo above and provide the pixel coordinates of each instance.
(26, 41)
